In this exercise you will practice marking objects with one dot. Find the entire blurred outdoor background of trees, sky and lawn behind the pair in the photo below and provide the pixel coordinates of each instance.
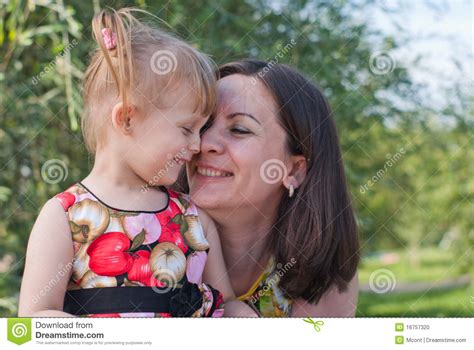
(399, 76)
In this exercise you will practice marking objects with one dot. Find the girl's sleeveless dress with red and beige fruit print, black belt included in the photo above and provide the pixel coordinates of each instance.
(137, 263)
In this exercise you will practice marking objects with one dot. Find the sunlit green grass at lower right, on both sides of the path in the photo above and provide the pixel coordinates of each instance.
(435, 265)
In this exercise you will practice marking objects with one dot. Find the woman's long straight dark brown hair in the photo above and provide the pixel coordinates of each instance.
(317, 226)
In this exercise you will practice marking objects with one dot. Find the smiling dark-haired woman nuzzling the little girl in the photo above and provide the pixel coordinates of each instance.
(271, 176)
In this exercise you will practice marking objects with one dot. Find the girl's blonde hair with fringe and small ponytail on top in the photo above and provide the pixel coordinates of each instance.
(145, 62)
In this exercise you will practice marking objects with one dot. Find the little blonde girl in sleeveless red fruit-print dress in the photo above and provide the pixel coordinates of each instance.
(119, 243)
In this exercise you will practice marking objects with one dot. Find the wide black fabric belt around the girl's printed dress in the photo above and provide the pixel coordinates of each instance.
(117, 299)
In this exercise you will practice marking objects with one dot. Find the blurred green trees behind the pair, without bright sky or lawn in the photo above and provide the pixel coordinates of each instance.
(426, 196)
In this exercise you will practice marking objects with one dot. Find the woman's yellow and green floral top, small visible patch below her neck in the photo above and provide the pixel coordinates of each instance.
(265, 297)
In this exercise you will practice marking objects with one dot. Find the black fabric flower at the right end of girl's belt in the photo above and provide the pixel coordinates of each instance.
(187, 301)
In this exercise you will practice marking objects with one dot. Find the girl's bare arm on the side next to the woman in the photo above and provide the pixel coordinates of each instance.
(215, 271)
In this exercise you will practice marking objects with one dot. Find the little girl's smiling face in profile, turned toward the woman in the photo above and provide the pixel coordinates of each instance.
(166, 138)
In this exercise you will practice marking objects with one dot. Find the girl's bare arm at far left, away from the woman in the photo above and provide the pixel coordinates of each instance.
(48, 264)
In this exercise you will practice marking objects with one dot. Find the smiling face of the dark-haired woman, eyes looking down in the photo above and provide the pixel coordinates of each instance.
(244, 135)
